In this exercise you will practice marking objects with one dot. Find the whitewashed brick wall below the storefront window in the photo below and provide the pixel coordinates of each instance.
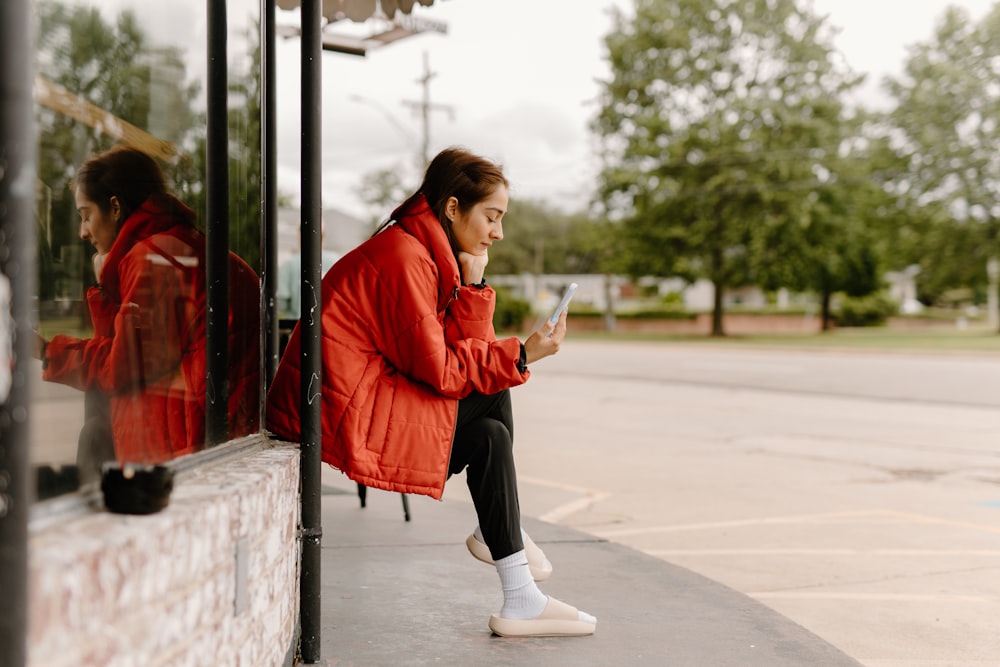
(210, 580)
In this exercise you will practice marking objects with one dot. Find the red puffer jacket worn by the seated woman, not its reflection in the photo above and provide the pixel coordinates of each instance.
(401, 342)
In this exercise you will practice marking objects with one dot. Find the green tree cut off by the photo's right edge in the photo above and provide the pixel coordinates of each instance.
(946, 126)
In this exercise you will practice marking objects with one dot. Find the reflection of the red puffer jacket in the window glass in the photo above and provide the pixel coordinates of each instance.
(148, 348)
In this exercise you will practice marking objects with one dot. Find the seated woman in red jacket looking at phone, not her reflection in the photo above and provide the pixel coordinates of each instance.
(416, 384)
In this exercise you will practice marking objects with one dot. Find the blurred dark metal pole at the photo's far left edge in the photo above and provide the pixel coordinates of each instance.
(17, 272)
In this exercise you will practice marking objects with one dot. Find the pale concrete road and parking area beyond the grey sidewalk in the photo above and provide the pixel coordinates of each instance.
(857, 493)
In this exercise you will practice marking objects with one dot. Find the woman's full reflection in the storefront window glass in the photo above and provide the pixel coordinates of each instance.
(147, 354)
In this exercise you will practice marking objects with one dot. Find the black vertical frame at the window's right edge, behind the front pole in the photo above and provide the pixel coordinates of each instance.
(269, 191)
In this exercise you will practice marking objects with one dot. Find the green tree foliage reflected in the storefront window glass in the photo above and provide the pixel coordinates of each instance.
(117, 68)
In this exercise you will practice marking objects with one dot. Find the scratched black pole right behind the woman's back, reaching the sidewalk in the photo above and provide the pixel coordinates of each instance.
(312, 211)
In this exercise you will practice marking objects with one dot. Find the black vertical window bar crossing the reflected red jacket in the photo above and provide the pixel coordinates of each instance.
(217, 229)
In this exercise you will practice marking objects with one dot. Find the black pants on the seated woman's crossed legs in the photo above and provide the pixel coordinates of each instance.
(484, 447)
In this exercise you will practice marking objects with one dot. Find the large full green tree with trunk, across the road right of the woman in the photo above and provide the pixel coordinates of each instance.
(718, 120)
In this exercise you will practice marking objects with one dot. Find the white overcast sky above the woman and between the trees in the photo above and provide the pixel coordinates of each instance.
(515, 80)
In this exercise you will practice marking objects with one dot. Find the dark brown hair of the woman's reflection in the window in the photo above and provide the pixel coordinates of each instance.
(123, 172)
